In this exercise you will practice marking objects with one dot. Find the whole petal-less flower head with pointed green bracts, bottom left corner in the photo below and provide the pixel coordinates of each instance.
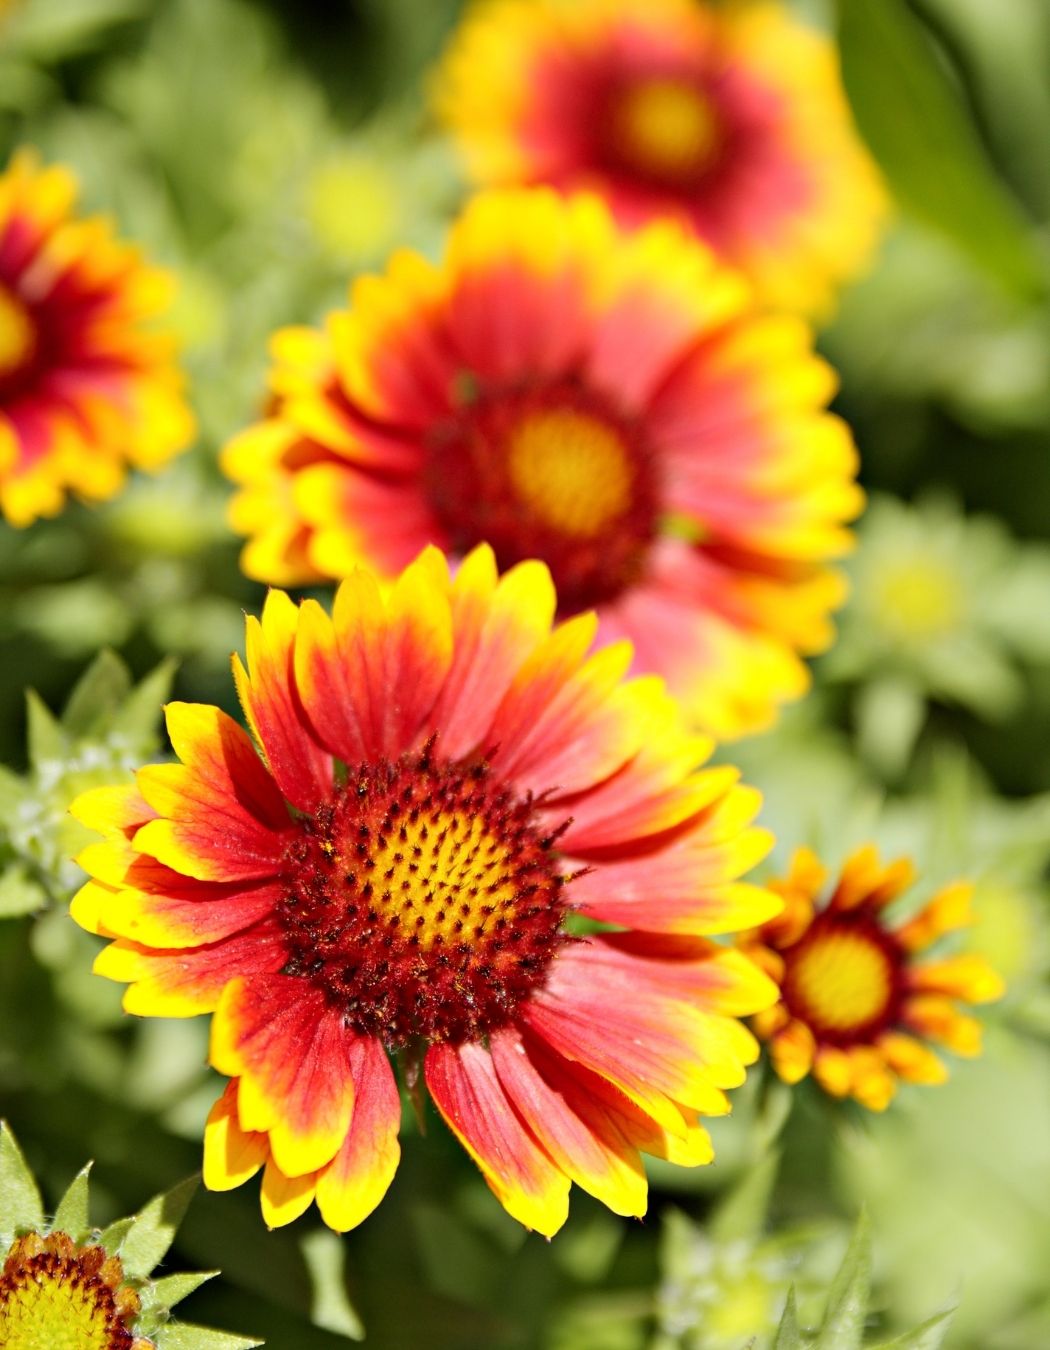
(68, 1286)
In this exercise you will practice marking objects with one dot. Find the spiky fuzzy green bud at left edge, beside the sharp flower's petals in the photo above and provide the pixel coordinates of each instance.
(106, 730)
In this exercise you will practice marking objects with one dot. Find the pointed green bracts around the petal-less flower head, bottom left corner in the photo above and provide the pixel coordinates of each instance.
(141, 1243)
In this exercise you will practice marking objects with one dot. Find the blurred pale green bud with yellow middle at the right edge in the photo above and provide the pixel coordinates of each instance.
(943, 605)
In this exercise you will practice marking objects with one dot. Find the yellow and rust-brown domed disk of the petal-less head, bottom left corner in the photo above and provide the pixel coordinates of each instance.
(59, 1297)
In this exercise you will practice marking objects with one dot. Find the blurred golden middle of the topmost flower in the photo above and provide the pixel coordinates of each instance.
(666, 128)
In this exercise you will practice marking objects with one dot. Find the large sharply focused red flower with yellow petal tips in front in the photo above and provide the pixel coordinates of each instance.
(447, 785)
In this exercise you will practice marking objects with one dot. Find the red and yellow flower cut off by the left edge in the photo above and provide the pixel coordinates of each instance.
(88, 385)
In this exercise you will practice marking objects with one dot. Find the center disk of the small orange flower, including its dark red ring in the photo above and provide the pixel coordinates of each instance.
(841, 979)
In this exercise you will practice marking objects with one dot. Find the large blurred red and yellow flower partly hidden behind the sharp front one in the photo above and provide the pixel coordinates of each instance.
(608, 403)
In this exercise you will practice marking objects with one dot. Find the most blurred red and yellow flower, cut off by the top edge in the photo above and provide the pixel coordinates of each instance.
(729, 118)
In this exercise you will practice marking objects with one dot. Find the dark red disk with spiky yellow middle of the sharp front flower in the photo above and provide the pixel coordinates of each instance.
(424, 901)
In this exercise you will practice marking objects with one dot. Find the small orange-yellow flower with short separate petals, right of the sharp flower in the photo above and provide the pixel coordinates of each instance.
(860, 997)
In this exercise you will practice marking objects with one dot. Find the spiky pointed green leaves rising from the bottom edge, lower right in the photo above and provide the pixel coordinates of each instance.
(847, 1312)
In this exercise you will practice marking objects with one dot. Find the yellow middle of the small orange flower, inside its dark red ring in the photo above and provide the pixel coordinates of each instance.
(843, 979)
